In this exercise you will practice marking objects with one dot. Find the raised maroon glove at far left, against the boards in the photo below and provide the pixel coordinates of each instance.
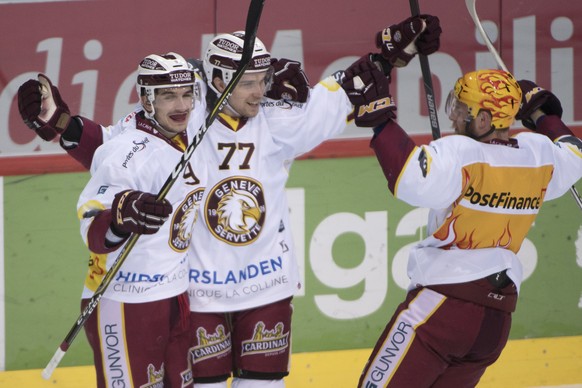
(42, 108)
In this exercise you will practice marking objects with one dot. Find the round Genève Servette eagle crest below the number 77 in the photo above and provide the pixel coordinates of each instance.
(235, 210)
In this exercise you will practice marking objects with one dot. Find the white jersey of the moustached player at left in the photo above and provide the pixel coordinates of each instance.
(157, 266)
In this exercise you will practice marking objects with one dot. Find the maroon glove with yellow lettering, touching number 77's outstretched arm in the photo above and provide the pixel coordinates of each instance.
(369, 91)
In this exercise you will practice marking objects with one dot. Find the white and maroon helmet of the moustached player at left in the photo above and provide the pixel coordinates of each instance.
(170, 70)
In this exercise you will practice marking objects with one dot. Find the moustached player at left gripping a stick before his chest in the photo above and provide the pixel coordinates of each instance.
(139, 332)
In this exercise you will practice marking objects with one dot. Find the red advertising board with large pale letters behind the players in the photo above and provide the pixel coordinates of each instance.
(91, 49)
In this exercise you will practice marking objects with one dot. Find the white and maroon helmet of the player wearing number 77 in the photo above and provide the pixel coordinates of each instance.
(224, 53)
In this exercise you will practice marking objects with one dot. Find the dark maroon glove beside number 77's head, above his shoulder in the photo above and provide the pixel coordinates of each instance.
(289, 81)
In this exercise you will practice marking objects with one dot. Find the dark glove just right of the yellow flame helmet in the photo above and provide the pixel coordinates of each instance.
(533, 98)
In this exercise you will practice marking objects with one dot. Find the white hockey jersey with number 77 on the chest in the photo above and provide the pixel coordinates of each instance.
(242, 253)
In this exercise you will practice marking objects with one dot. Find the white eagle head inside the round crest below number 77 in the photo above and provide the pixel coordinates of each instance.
(238, 212)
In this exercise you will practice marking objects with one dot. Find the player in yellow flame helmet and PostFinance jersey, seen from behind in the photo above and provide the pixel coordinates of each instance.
(484, 189)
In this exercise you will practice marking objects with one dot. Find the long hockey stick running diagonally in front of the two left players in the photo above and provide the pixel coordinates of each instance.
(252, 25)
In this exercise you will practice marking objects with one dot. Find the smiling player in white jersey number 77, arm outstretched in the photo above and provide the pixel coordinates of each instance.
(243, 273)
